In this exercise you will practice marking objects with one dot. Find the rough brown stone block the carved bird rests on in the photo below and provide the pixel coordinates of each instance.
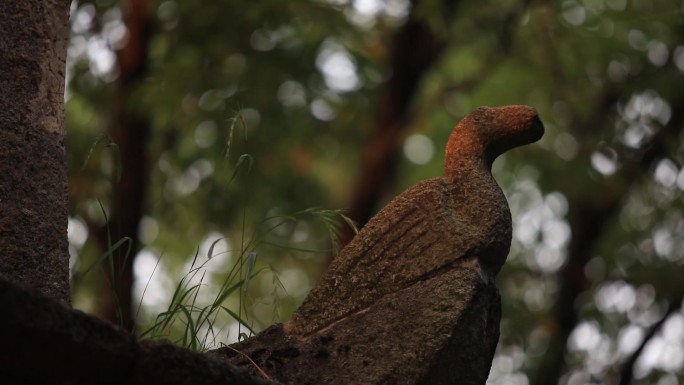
(411, 336)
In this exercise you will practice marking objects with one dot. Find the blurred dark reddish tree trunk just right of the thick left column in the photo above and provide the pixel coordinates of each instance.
(130, 131)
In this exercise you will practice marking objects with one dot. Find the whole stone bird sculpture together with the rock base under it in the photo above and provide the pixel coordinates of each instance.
(411, 299)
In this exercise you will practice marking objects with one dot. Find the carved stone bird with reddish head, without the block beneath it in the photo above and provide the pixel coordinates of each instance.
(461, 218)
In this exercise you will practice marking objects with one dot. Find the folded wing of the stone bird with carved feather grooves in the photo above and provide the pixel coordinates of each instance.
(412, 238)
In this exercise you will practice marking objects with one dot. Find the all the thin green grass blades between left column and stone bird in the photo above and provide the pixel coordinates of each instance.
(196, 312)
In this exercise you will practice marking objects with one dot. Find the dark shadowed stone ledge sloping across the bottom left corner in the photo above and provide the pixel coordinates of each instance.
(45, 342)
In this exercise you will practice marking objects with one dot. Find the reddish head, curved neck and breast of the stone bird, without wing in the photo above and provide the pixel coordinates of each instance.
(477, 199)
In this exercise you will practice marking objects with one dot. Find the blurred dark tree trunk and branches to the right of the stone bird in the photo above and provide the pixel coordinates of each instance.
(588, 217)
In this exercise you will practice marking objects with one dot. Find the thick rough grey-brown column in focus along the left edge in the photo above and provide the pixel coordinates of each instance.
(33, 175)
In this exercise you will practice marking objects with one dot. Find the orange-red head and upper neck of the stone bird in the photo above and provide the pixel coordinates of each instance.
(486, 133)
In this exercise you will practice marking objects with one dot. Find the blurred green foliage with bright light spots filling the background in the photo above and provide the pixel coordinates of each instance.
(302, 80)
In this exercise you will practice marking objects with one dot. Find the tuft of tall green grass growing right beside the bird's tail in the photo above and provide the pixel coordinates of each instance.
(197, 320)
